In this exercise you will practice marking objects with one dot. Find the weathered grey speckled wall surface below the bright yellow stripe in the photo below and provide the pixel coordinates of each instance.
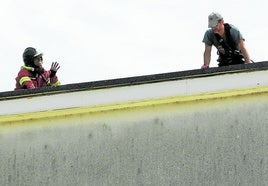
(209, 142)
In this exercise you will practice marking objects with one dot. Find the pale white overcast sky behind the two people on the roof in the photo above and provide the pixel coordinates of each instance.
(106, 39)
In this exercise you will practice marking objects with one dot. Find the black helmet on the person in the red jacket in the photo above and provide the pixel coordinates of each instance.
(29, 54)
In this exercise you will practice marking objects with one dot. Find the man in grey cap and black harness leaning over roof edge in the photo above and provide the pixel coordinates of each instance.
(227, 39)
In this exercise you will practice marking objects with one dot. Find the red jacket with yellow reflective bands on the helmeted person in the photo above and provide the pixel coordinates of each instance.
(27, 78)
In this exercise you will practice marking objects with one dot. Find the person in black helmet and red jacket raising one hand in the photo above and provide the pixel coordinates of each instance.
(32, 74)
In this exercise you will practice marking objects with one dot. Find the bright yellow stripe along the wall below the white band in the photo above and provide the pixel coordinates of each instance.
(15, 118)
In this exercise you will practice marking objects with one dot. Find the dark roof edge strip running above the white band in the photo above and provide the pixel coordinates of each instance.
(136, 80)
